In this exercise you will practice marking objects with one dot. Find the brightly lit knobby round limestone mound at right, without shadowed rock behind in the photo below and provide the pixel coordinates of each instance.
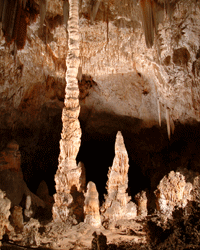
(172, 191)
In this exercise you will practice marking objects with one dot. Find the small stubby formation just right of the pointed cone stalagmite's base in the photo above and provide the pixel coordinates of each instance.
(141, 199)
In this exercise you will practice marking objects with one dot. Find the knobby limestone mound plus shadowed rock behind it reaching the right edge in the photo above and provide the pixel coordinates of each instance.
(176, 190)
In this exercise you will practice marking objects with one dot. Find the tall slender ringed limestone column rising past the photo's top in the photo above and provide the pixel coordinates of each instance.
(69, 198)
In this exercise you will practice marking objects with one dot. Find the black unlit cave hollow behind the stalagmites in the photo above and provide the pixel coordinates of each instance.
(151, 154)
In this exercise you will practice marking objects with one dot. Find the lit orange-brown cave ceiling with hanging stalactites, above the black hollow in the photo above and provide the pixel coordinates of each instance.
(143, 57)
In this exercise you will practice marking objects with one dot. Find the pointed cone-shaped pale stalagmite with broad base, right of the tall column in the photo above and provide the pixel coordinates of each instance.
(117, 203)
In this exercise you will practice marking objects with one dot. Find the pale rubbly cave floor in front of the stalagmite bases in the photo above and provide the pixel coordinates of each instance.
(58, 236)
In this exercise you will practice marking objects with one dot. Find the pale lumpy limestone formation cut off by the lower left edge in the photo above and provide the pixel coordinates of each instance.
(5, 205)
